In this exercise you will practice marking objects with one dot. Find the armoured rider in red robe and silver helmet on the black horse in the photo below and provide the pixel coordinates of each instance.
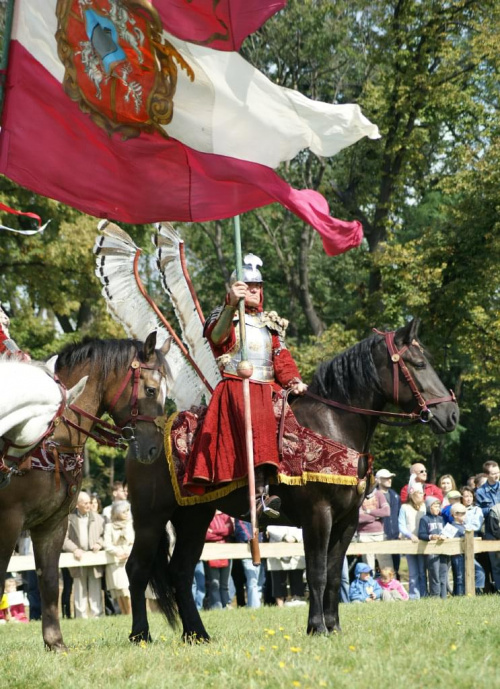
(219, 454)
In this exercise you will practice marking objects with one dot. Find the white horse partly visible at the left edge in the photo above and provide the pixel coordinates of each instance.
(29, 402)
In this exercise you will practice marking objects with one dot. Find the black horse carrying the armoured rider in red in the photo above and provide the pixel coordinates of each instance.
(384, 368)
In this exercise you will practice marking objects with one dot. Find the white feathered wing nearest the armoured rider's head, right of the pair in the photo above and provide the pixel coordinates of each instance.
(176, 282)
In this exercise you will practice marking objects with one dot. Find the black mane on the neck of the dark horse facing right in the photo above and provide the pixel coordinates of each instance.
(351, 372)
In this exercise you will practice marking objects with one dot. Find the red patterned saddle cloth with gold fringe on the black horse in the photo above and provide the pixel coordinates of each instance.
(306, 456)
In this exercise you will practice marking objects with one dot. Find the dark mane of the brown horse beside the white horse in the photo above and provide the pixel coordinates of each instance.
(106, 355)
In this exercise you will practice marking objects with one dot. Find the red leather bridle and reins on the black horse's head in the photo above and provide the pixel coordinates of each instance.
(424, 415)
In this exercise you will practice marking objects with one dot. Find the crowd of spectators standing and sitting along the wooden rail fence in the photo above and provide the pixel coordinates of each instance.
(422, 511)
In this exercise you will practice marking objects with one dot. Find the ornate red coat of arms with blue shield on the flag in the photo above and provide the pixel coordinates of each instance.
(119, 67)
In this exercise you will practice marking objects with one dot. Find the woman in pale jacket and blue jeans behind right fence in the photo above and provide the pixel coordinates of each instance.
(409, 519)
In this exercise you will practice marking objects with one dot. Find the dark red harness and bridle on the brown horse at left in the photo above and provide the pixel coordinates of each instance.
(109, 435)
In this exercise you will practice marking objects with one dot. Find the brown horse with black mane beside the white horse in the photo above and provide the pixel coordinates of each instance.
(126, 378)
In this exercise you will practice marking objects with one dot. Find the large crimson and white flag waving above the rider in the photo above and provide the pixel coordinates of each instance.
(142, 111)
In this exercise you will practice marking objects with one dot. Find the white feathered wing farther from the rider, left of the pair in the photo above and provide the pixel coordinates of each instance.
(116, 254)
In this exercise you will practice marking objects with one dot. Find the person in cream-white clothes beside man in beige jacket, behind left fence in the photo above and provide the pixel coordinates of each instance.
(118, 541)
